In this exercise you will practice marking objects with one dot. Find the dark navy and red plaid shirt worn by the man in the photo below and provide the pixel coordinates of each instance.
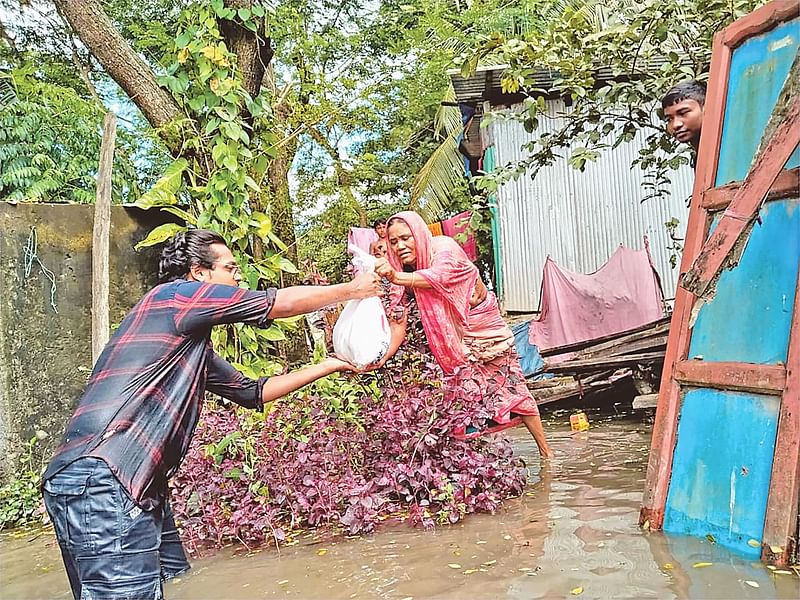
(144, 396)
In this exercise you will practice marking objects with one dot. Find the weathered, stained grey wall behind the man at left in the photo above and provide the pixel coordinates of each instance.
(45, 356)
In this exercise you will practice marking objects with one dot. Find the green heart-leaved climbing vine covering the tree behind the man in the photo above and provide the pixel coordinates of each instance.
(226, 143)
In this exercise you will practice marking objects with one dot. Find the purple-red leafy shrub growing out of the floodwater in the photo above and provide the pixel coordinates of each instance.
(346, 452)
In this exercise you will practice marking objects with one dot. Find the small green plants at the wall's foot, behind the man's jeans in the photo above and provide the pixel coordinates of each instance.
(20, 498)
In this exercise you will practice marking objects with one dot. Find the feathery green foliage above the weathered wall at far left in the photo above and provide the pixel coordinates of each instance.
(50, 143)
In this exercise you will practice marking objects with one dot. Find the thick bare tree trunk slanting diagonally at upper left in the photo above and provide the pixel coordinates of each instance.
(119, 60)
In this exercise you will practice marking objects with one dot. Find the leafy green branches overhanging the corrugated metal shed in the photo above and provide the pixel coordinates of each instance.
(613, 67)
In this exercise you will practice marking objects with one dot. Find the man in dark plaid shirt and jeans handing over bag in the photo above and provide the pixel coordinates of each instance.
(106, 487)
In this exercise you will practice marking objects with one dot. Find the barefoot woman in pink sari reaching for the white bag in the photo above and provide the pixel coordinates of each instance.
(461, 318)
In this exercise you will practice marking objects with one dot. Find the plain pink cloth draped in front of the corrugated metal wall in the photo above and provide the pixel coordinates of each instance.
(622, 294)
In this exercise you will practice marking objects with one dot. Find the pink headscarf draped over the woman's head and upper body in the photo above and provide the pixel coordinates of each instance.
(444, 308)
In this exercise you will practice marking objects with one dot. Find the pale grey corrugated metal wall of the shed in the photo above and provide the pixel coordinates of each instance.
(578, 218)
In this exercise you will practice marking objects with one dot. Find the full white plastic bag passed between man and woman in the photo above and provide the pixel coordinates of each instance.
(361, 335)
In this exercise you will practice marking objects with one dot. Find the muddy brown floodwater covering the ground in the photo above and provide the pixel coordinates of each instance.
(575, 527)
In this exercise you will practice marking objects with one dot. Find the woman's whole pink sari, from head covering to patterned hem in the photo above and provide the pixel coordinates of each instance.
(474, 346)
